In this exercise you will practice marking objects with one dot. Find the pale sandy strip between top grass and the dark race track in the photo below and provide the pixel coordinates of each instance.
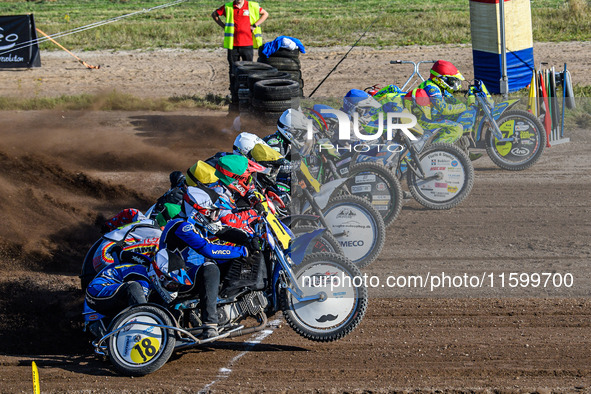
(170, 73)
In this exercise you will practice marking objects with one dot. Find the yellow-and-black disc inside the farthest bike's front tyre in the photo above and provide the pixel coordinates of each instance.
(520, 151)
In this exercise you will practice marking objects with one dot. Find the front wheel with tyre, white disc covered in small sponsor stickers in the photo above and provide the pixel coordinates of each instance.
(449, 177)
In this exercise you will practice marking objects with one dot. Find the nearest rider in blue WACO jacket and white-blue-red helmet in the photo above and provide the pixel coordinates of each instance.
(200, 215)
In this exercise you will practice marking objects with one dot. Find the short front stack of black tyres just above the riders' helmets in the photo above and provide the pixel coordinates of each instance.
(271, 97)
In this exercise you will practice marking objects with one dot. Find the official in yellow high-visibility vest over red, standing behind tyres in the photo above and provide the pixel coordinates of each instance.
(242, 34)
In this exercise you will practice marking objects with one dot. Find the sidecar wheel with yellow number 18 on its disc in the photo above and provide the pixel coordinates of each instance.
(140, 347)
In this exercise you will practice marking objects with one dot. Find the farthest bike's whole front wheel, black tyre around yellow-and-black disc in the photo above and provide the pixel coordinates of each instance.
(529, 141)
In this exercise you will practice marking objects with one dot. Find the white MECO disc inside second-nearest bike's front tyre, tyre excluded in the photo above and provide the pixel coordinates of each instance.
(354, 228)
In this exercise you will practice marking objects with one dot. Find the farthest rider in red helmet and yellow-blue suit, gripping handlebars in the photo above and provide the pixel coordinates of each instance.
(451, 116)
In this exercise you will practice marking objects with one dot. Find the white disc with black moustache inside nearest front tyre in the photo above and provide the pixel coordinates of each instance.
(340, 302)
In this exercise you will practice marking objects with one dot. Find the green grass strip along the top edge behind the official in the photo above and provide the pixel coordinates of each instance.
(315, 22)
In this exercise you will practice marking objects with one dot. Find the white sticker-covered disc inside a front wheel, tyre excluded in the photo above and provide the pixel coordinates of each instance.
(451, 180)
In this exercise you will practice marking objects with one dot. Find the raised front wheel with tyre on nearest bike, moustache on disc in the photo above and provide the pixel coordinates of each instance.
(342, 300)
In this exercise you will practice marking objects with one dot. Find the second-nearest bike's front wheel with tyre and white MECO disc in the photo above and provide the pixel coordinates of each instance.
(358, 227)
